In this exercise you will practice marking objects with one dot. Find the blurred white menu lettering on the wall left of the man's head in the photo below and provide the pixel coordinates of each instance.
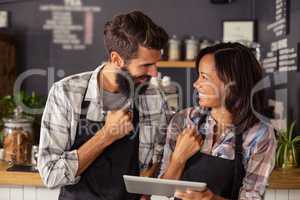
(65, 32)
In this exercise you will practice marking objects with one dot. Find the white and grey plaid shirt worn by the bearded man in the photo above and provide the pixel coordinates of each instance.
(57, 163)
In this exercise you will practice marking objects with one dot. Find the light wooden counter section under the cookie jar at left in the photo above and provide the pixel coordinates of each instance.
(19, 178)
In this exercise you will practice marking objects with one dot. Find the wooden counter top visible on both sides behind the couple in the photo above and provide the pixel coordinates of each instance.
(280, 179)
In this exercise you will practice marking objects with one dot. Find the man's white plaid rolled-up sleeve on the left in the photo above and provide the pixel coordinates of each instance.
(57, 164)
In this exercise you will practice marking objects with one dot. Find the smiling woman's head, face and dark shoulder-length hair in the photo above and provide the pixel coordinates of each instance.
(229, 72)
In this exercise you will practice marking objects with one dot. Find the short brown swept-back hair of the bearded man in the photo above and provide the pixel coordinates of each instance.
(125, 32)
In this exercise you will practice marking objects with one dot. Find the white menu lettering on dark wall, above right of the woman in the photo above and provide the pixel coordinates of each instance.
(280, 57)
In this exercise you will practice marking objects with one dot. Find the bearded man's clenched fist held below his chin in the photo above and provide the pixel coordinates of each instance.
(118, 124)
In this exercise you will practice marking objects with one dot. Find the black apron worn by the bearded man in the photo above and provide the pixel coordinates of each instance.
(103, 180)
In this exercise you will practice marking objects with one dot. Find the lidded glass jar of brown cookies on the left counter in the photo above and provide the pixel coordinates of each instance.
(18, 138)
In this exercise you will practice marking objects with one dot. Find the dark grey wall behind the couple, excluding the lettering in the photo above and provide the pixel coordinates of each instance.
(193, 17)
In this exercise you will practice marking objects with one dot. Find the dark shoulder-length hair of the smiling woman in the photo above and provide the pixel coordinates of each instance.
(236, 64)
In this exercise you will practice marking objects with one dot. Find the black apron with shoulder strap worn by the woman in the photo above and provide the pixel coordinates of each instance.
(223, 176)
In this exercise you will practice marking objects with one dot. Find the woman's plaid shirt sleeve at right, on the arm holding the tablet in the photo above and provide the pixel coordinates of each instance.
(260, 164)
